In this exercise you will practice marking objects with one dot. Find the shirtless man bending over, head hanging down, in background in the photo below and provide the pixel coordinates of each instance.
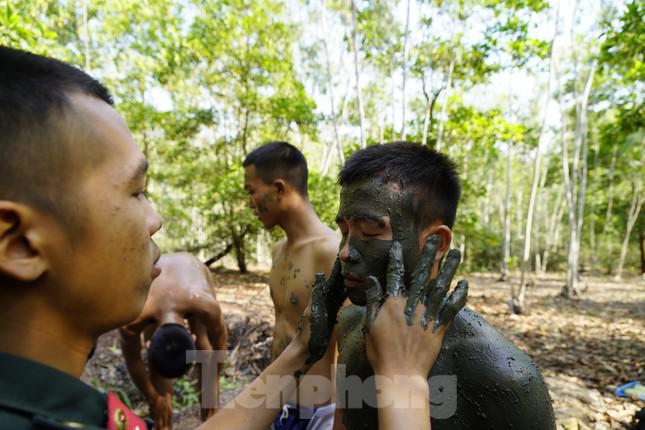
(180, 299)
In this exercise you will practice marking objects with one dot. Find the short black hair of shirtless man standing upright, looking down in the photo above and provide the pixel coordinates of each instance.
(275, 160)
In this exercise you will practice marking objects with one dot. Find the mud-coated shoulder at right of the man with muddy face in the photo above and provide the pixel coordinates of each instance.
(491, 367)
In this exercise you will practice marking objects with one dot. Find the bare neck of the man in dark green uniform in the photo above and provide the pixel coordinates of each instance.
(35, 334)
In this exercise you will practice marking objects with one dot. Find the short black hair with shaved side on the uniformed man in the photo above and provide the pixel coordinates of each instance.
(34, 148)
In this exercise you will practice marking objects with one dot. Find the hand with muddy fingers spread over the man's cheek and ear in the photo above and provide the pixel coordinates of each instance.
(397, 319)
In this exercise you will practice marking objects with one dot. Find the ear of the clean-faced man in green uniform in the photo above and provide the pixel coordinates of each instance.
(21, 243)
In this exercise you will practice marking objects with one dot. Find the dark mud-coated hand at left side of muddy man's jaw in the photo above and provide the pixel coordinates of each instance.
(327, 297)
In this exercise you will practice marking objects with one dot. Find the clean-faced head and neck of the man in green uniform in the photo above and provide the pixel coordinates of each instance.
(76, 254)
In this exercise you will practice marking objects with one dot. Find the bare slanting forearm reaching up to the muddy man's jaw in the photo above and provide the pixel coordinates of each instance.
(258, 404)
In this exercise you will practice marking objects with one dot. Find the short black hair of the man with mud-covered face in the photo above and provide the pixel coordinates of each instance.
(431, 175)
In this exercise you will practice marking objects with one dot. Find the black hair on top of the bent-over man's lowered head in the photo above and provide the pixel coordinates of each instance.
(167, 352)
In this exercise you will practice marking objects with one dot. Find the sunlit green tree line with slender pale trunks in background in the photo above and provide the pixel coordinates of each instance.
(539, 102)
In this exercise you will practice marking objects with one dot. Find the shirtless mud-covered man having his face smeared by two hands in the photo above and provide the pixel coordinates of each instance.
(398, 195)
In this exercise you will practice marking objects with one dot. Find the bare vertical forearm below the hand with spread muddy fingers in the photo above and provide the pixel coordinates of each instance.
(403, 402)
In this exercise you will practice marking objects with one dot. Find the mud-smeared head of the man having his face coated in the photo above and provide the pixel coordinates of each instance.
(396, 191)
